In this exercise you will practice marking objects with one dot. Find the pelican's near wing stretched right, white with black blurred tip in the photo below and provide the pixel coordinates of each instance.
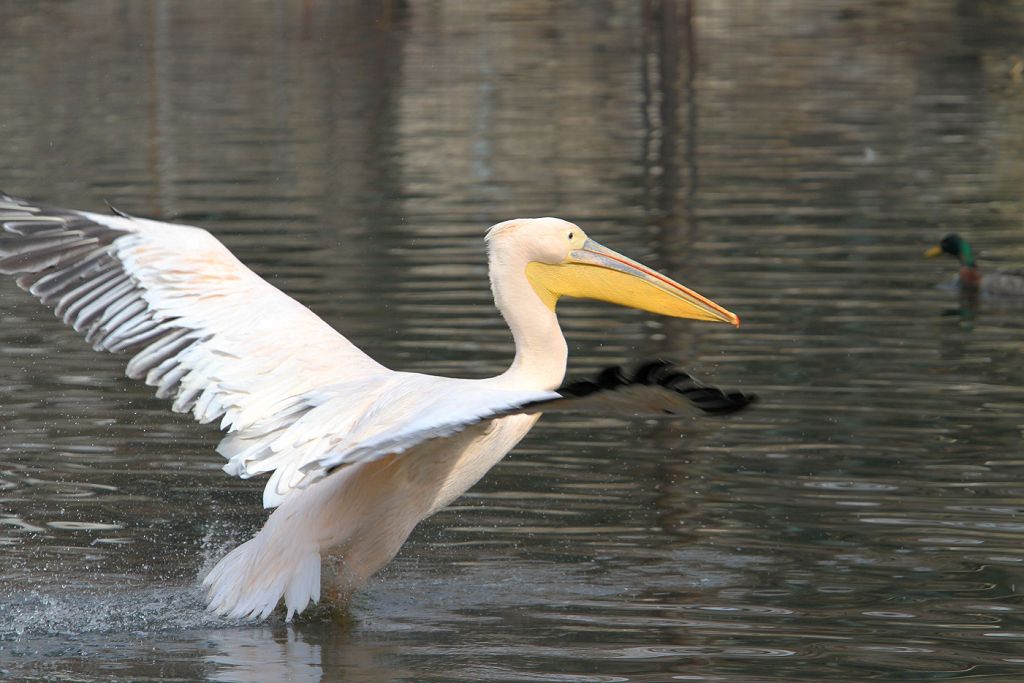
(656, 390)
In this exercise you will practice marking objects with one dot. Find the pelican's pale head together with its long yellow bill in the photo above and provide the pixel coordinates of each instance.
(561, 261)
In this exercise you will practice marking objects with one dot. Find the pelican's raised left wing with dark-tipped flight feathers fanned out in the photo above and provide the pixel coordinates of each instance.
(205, 330)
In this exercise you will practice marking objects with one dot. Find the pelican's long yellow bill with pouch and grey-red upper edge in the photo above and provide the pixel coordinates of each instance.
(594, 272)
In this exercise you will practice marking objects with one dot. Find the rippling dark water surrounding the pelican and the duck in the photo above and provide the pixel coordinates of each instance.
(792, 160)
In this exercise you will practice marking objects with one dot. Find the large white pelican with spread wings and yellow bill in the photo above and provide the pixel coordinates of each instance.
(357, 454)
